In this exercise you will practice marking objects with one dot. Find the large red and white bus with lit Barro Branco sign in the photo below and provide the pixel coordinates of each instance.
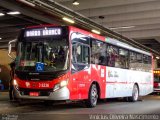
(68, 63)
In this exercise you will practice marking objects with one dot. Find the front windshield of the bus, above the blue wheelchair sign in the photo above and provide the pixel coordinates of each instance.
(53, 53)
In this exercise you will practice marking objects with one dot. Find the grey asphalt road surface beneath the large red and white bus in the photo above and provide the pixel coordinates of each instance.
(37, 110)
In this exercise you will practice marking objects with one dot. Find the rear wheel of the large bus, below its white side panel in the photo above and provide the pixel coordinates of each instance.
(135, 94)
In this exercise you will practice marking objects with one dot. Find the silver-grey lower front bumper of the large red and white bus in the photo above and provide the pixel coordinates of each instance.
(61, 94)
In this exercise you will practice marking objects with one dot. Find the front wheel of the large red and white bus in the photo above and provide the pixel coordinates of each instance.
(92, 96)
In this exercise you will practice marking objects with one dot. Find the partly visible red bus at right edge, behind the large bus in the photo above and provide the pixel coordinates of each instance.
(157, 81)
